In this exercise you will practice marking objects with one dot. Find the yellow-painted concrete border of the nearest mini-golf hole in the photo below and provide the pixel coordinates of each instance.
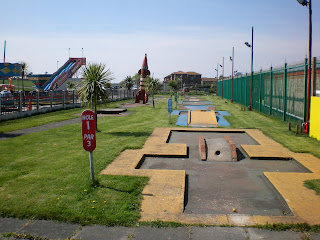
(171, 193)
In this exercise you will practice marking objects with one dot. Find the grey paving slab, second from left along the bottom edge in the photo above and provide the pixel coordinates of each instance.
(50, 229)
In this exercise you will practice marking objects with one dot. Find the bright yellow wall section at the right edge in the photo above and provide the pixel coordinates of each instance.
(315, 118)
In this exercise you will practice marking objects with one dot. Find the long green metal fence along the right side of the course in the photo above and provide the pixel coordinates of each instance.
(280, 92)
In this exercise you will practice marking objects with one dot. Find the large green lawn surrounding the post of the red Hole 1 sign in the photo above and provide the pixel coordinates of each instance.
(46, 175)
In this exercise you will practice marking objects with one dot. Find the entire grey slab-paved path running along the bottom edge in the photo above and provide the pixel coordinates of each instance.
(55, 230)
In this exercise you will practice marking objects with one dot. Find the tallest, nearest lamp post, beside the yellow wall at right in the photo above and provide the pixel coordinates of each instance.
(308, 4)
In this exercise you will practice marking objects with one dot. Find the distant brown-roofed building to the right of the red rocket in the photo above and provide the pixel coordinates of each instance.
(188, 78)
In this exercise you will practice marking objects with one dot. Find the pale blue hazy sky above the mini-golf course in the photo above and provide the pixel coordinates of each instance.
(188, 35)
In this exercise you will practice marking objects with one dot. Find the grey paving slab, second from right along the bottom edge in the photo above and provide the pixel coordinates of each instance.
(254, 233)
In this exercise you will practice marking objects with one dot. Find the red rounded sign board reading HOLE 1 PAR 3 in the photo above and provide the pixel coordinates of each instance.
(88, 130)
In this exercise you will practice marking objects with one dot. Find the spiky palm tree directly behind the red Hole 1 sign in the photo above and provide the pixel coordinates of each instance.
(94, 85)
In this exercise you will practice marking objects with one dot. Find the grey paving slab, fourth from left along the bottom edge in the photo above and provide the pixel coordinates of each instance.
(143, 233)
